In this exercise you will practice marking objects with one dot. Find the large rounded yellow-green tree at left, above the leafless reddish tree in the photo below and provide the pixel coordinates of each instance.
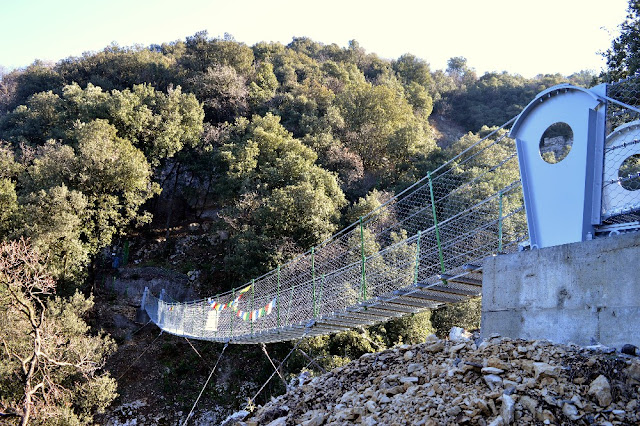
(76, 198)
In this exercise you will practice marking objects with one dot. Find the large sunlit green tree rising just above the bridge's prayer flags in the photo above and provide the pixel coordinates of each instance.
(280, 193)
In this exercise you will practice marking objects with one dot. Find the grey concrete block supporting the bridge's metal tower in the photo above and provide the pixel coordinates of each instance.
(575, 293)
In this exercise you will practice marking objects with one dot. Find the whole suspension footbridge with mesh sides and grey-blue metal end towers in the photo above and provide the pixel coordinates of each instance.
(424, 247)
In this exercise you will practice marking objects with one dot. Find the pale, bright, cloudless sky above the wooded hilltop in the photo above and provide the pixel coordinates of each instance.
(521, 37)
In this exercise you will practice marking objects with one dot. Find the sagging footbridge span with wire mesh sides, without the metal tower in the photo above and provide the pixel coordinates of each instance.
(387, 264)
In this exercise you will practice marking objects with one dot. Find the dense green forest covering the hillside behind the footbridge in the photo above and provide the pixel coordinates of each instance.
(274, 147)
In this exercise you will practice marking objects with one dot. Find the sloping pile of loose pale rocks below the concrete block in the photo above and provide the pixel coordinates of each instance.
(497, 381)
